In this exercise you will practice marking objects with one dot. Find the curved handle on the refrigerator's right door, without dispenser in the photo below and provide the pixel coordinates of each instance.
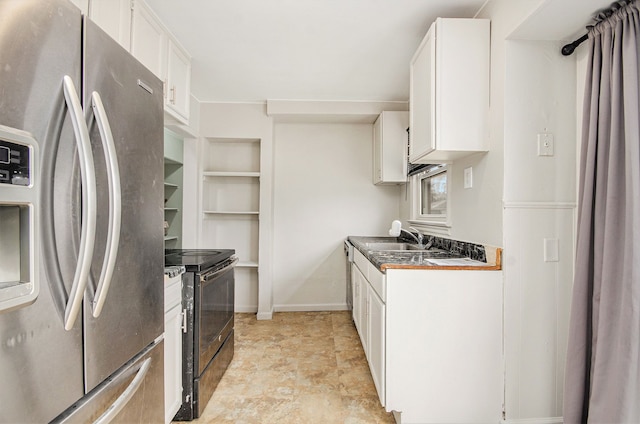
(115, 204)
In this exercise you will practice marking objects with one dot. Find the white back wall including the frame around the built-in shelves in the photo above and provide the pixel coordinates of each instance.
(318, 180)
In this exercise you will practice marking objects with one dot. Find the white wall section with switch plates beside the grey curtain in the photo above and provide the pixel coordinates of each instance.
(538, 94)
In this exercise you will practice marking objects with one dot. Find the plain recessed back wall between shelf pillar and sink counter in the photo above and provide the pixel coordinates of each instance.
(323, 192)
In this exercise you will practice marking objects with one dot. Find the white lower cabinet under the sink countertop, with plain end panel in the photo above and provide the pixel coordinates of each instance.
(433, 340)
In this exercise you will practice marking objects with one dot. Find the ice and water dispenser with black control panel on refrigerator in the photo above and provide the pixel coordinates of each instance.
(19, 196)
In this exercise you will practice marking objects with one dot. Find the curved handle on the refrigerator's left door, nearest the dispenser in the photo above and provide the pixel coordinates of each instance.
(88, 177)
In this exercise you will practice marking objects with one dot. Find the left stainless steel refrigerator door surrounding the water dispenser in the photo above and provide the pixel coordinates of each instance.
(40, 41)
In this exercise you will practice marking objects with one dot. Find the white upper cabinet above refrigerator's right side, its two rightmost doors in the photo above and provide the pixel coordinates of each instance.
(154, 46)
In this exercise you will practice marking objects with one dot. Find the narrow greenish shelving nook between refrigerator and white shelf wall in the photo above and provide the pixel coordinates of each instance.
(173, 174)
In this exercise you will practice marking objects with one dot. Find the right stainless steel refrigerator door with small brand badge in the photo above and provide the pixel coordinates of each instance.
(132, 315)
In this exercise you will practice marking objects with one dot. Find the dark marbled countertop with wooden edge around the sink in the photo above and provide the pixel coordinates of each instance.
(433, 259)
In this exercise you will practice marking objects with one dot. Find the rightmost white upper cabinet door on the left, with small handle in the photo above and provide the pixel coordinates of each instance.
(178, 82)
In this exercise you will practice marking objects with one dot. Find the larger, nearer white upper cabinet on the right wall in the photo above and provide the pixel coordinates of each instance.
(449, 91)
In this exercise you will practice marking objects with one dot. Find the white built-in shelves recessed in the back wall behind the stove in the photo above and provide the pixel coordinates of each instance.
(231, 207)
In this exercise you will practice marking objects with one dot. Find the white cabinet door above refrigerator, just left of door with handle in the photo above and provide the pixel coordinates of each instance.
(148, 40)
